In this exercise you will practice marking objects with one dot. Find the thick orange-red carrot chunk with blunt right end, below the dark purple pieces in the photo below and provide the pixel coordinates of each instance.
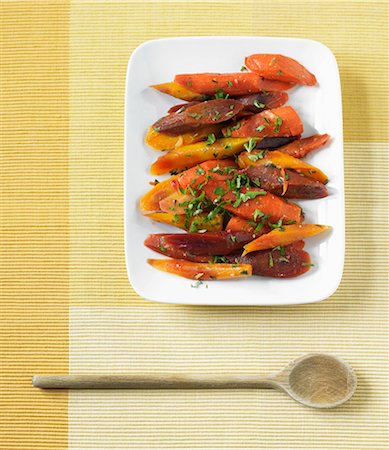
(282, 121)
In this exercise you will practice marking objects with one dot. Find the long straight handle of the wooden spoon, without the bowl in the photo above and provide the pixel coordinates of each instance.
(151, 382)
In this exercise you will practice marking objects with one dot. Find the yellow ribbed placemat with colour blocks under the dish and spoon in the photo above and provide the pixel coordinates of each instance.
(65, 283)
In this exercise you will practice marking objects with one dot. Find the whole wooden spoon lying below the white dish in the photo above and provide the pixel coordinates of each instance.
(318, 380)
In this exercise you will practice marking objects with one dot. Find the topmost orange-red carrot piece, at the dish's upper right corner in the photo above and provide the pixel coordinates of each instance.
(281, 68)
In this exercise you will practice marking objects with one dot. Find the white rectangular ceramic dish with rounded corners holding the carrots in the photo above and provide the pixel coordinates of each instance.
(320, 108)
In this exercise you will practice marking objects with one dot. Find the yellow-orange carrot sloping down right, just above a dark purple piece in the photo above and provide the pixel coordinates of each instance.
(283, 161)
